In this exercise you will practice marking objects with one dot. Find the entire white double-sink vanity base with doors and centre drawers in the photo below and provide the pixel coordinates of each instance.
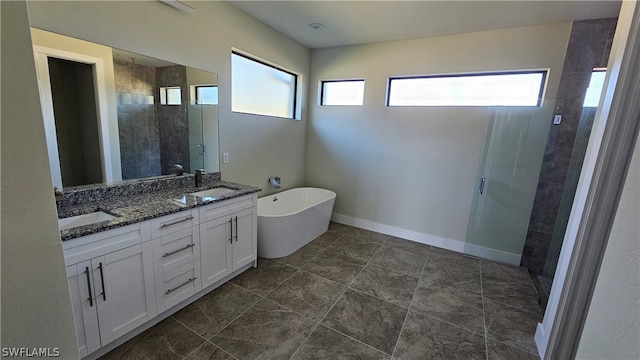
(122, 278)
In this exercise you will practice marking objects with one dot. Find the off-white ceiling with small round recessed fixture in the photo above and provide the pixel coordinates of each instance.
(359, 22)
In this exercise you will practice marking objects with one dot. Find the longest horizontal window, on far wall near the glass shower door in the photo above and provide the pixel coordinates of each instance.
(485, 89)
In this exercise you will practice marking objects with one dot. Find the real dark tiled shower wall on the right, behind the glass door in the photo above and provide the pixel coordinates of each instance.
(589, 47)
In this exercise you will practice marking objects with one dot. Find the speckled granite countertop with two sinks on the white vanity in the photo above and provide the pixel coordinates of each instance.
(133, 208)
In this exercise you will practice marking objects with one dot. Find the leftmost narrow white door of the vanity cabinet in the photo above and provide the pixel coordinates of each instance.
(83, 304)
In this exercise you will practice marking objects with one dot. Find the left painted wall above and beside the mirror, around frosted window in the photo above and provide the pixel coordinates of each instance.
(259, 146)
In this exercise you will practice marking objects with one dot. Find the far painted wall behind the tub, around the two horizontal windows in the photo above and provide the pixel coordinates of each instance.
(413, 170)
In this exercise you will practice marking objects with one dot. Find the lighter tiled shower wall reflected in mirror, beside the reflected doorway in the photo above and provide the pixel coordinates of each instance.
(137, 122)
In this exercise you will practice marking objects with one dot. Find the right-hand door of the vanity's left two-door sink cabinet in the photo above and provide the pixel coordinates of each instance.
(124, 290)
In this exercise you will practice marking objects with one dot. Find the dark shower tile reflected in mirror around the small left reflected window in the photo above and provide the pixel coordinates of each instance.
(173, 120)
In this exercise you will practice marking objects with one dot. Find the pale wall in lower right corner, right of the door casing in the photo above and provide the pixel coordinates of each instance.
(612, 329)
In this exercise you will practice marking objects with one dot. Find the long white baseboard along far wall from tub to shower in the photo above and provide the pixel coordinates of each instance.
(423, 238)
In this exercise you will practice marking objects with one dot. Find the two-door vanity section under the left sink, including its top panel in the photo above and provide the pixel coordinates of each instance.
(110, 278)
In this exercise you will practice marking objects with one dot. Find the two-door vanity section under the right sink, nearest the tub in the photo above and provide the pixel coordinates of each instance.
(228, 237)
